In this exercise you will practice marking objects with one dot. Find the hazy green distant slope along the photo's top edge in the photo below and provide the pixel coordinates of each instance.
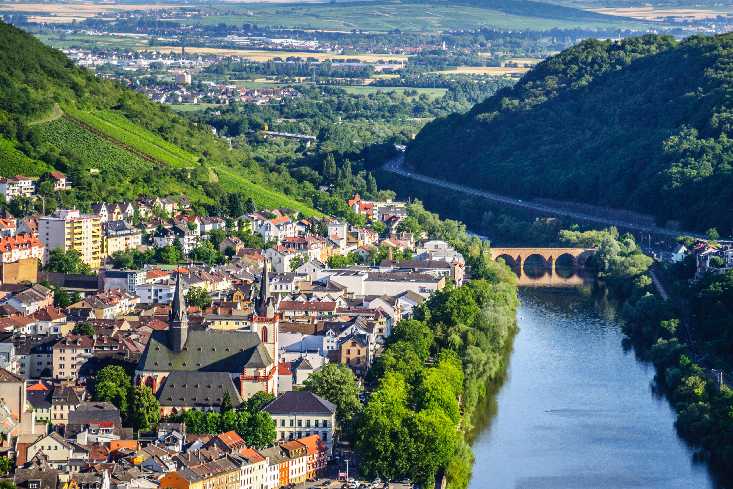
(386, 16)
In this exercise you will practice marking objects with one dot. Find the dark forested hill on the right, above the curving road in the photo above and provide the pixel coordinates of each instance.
(643, 124)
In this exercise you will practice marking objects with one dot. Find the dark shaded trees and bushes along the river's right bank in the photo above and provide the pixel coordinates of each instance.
(685, 337)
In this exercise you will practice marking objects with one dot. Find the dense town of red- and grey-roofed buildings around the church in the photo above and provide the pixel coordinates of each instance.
(262, 320)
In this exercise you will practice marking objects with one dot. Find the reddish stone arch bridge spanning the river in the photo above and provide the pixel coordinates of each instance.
(517, 257)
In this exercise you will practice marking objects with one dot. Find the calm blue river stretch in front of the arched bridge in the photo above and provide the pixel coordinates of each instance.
(577, 410)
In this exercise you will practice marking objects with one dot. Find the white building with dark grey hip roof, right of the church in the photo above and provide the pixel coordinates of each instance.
(302, 413)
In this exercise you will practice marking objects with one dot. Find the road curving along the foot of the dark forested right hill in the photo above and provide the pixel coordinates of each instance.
(396, 166)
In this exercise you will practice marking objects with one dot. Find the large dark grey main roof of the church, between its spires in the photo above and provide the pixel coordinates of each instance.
(206, 351)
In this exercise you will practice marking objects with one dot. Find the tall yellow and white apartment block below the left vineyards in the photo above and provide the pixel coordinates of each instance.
(71, 230)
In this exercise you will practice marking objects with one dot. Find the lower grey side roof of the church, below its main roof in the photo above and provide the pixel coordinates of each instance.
(198, 389)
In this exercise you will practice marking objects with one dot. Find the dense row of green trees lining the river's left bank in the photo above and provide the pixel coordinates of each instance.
(434, 372)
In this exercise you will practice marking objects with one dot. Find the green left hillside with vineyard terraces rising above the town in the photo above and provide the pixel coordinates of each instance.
(114, 143)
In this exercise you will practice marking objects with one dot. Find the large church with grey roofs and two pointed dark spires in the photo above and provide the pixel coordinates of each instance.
(191, 368)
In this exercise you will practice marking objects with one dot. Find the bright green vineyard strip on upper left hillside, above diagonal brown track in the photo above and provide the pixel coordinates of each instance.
(127, 133)
